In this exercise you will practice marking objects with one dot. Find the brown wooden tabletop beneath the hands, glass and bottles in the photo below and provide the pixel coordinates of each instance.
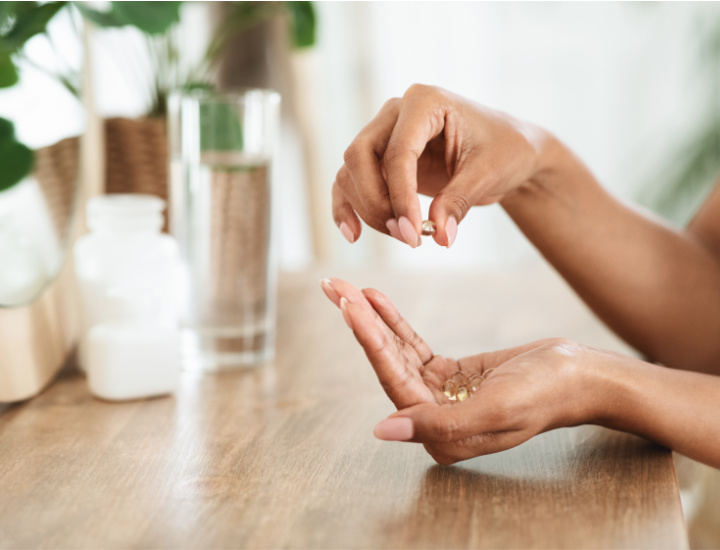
(284, 457)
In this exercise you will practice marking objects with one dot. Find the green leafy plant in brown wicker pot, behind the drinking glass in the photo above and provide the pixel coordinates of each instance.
(136, 149)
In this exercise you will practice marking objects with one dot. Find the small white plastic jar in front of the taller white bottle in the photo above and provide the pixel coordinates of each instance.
(132, 354)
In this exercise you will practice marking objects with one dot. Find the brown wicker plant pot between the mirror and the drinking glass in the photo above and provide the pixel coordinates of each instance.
(136, 157)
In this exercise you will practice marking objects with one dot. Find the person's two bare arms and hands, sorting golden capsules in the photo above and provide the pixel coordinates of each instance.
(667, 305)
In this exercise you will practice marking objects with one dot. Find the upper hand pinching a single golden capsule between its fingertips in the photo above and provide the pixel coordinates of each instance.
(439, 144)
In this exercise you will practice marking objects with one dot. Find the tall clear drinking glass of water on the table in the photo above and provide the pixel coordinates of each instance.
(221, 152)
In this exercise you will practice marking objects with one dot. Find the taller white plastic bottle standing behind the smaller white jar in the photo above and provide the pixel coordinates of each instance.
(124, 248)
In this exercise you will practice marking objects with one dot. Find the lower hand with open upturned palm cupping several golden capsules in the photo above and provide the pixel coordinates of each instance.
(527, 390)
